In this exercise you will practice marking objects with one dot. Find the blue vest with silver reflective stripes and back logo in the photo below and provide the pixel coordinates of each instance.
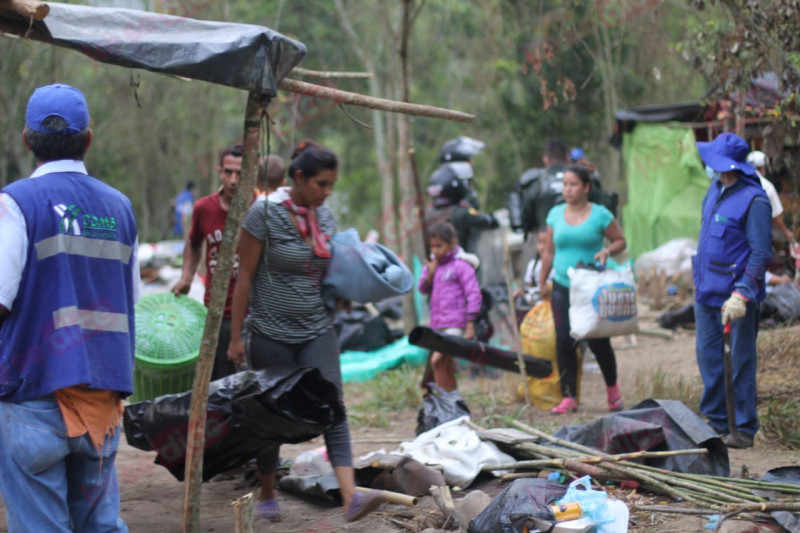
(72, 322)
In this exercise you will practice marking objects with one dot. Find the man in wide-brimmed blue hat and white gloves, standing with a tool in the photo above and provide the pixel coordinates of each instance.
(733, 251)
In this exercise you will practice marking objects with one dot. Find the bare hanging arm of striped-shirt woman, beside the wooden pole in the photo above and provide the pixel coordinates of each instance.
(250, 250)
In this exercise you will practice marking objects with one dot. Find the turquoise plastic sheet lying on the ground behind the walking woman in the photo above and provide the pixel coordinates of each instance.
(364, 366)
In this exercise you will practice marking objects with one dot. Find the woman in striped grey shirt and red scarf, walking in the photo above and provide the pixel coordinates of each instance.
(284, 253)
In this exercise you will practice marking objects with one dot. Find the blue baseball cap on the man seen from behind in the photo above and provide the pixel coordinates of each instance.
(61, 101)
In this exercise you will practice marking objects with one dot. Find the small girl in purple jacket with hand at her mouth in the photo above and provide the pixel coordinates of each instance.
(455, 297)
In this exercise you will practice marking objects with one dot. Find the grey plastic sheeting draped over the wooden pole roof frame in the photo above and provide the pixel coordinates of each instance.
(243, 56)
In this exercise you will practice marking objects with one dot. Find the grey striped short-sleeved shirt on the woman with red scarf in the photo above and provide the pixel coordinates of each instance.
(286, 295)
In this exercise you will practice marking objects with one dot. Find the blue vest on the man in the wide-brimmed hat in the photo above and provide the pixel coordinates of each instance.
(723, 250)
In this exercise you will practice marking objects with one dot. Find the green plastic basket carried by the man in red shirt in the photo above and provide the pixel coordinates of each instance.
(168, 334)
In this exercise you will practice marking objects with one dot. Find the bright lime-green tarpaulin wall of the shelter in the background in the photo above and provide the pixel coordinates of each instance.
(666, 185)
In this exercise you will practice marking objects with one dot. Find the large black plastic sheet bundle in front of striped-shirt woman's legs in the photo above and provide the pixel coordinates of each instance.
(247, 412)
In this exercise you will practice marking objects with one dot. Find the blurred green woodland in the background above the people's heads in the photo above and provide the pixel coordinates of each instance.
(529, 71)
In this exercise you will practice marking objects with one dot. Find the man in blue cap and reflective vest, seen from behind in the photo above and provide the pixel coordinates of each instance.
(68, 283)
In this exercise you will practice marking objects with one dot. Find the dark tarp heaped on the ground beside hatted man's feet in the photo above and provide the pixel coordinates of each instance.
(655, 425)
